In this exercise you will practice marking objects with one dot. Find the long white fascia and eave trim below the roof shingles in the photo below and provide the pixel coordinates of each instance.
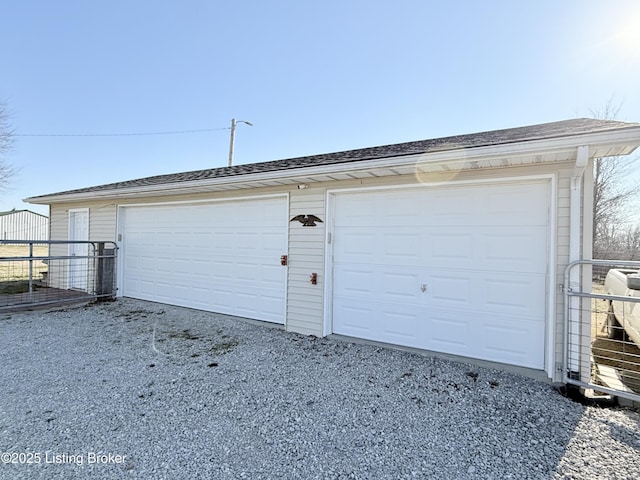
(566, 144)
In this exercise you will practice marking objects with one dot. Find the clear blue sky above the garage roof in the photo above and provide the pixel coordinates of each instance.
(312, 77)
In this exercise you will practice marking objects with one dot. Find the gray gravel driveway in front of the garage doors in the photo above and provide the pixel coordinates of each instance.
(132, 389)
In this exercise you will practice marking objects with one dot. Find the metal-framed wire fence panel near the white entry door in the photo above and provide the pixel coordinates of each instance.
(49, 272)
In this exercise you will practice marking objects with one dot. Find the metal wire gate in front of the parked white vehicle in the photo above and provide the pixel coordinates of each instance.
(602, 327)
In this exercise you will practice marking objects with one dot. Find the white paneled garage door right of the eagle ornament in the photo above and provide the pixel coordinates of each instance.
(459, 270)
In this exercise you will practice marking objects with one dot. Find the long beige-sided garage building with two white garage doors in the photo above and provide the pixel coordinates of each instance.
(455, 245)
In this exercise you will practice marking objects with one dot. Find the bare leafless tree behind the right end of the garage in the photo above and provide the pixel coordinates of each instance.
(612, 197)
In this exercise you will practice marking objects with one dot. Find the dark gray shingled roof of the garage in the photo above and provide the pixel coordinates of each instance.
(497, 137)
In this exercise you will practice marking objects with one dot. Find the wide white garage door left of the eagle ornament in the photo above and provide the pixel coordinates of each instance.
(221, 257)
